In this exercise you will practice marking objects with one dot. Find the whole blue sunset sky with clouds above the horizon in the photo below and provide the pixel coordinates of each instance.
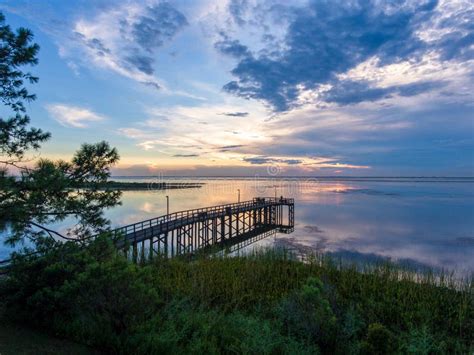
(244, 87)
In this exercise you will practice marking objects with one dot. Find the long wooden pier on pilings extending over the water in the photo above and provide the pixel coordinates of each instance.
(187, 232)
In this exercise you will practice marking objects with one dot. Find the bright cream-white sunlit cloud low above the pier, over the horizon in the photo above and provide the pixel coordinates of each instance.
(258, 143)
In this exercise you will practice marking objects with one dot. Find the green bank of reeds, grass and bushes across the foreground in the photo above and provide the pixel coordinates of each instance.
(262, 303)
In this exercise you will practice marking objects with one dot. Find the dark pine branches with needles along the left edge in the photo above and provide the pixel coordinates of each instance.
(36, 193)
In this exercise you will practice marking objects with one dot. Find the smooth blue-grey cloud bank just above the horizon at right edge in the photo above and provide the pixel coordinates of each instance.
(427, 140)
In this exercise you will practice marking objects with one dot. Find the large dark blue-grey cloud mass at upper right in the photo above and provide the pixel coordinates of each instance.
(327, 38)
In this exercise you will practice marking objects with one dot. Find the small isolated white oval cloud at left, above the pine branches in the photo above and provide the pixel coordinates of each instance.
(73, 116)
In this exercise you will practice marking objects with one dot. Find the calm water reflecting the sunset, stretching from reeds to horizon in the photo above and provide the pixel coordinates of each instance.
(418, 221)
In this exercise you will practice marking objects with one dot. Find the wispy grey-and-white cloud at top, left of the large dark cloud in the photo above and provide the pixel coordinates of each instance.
(126, 38)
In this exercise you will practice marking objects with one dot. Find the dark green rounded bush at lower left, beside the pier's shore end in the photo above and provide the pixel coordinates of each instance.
(89, 294)
